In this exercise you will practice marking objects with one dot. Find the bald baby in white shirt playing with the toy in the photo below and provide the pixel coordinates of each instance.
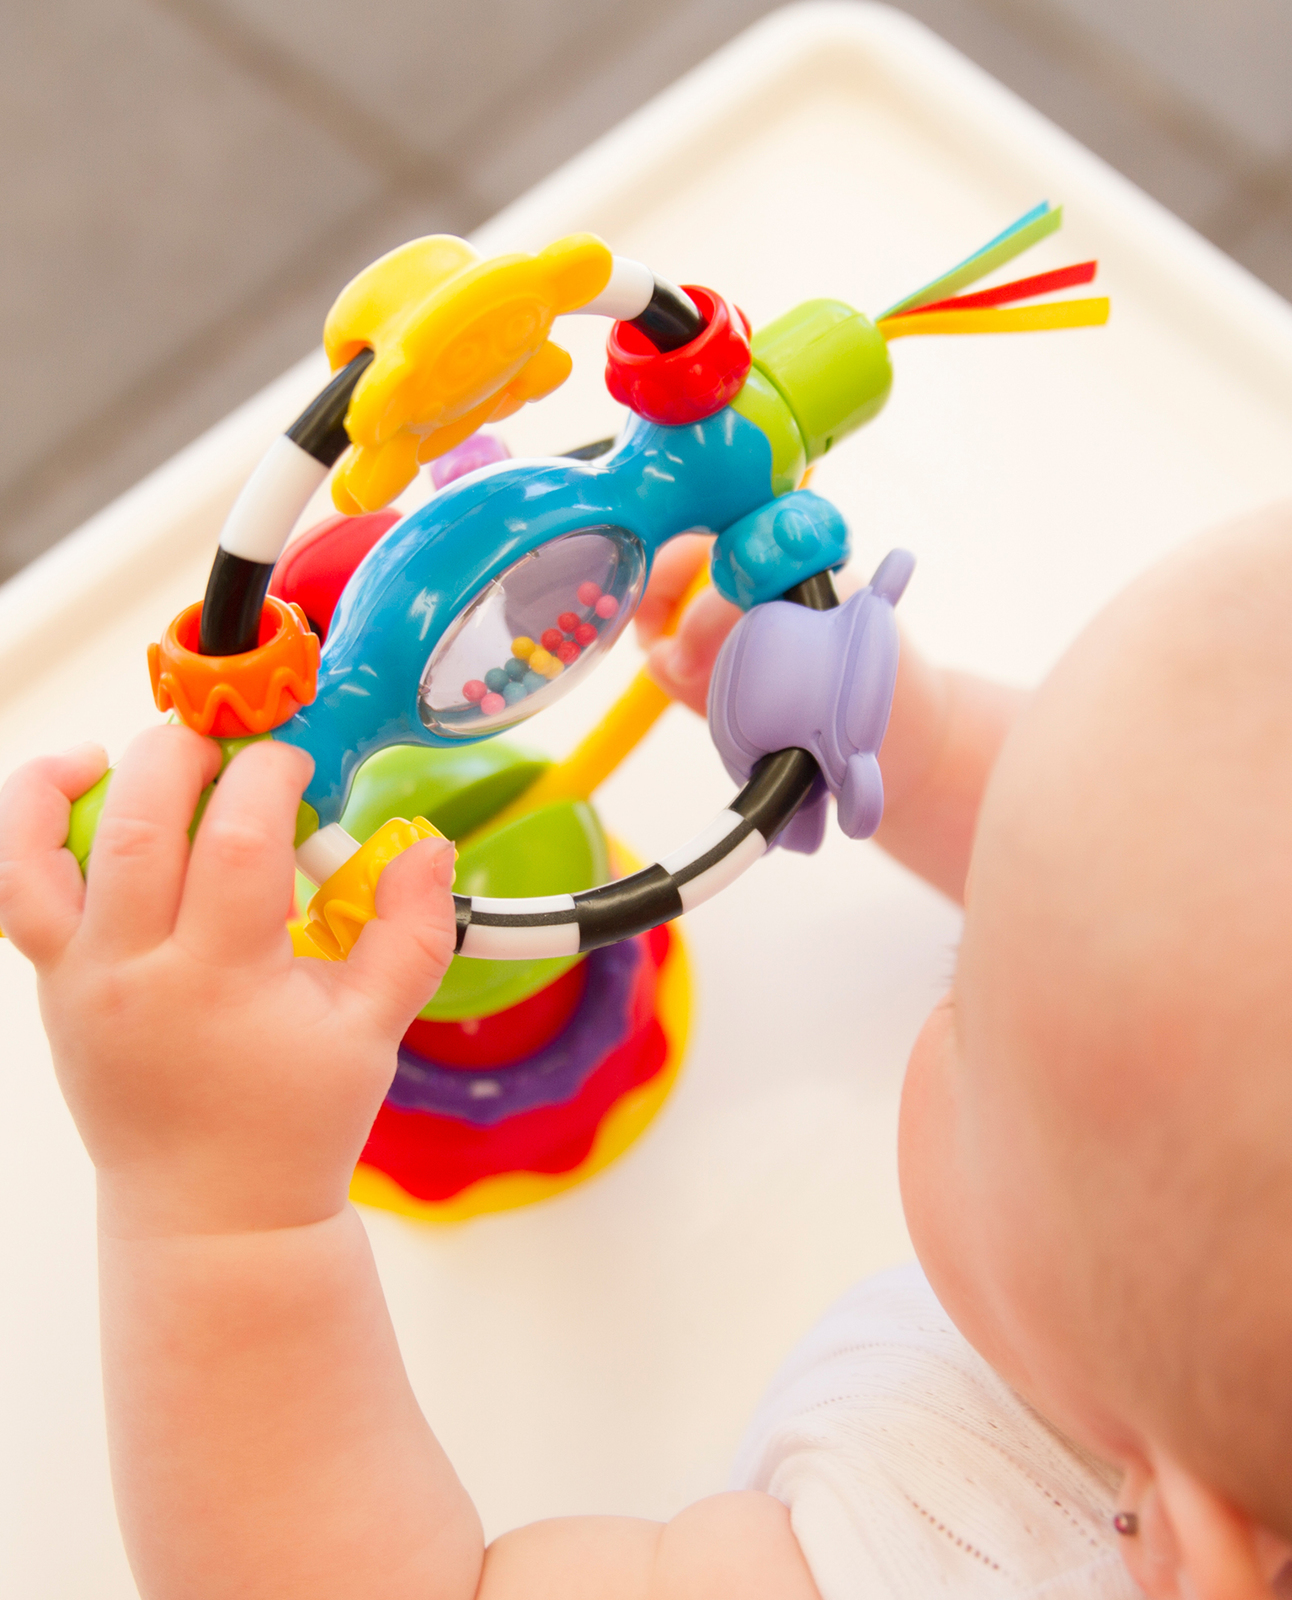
(1096, 1161)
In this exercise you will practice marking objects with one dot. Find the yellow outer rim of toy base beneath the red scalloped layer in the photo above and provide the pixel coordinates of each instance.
(623, 1124)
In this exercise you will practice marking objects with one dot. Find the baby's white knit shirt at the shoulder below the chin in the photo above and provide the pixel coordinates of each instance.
(912, 1471)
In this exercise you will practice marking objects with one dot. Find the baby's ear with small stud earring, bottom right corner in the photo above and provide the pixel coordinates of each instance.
(1186, 1542)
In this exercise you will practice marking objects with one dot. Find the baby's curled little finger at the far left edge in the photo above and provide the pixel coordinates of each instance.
(41, 884)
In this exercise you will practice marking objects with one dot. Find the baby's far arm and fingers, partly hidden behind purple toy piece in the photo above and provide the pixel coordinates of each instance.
(943, 740)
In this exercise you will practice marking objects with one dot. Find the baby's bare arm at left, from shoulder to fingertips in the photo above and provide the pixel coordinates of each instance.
(266, 1442)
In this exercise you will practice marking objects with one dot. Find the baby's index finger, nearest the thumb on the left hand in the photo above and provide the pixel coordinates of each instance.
(237, 895)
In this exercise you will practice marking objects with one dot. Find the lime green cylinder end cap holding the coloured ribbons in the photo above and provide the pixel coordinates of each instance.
(832, 367)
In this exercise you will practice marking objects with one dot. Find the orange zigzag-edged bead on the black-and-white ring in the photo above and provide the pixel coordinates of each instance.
(233, 697)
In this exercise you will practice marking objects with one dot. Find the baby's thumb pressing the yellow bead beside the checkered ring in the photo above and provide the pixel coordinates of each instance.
(402, 954)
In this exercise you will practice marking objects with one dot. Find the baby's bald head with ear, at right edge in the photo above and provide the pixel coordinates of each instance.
(1098, 1124)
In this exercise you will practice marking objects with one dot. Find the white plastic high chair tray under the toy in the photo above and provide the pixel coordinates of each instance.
(602, 1353)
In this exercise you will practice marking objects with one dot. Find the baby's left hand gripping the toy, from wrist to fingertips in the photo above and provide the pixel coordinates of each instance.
(220, 1084)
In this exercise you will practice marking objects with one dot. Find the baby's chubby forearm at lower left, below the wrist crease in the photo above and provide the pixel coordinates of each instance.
(265, 1438)
